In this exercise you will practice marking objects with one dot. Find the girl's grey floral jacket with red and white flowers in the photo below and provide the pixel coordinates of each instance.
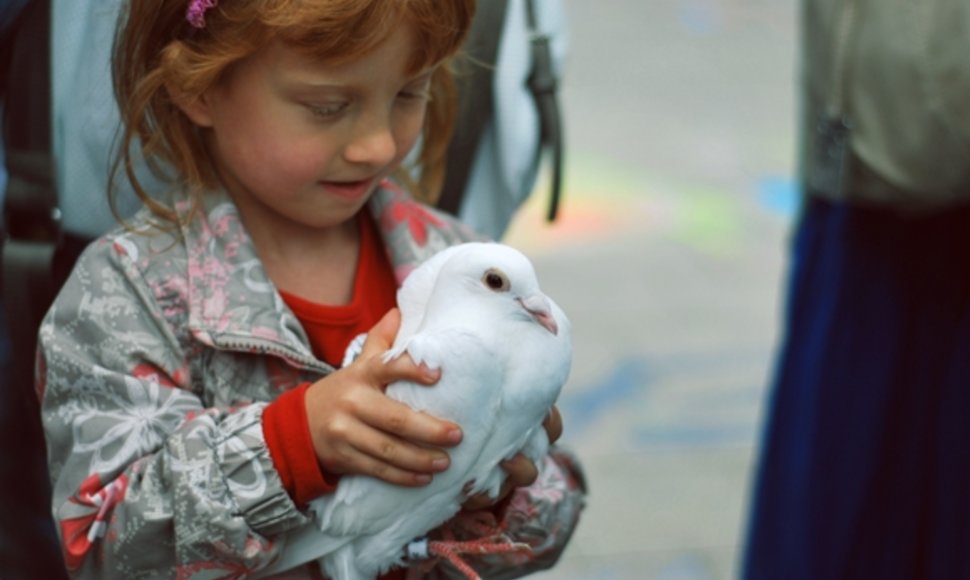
(156, 362)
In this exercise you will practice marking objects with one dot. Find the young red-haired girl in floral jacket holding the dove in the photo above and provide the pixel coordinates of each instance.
(194, 396)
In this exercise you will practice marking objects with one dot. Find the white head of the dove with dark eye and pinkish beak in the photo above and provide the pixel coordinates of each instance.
(500, 280)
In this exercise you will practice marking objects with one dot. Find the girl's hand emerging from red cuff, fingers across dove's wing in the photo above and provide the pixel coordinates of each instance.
(357, 429)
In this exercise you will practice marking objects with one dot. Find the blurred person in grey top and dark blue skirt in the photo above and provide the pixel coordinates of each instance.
(864, 471)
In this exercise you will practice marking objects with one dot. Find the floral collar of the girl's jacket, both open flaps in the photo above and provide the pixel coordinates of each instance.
(232, 302)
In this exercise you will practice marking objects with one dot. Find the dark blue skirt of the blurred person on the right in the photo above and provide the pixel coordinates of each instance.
(865, 466)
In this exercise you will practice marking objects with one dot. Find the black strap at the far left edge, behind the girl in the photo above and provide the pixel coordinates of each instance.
(30, 206)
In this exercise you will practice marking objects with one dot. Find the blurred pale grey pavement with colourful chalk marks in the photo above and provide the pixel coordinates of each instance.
(670, 259)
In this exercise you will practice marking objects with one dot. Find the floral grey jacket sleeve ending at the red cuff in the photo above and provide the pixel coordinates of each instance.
(147, 480)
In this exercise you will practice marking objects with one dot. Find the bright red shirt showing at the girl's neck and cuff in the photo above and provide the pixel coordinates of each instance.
(330, 329)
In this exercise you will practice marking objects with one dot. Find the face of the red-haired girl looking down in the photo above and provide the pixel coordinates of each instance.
(300, 143)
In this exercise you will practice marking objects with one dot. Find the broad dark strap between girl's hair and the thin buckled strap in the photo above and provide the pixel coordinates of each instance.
(476, 101)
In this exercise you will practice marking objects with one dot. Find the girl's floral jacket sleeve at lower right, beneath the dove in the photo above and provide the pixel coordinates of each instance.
(542, 516)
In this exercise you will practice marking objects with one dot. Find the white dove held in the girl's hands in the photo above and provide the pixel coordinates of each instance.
(475, 311)
